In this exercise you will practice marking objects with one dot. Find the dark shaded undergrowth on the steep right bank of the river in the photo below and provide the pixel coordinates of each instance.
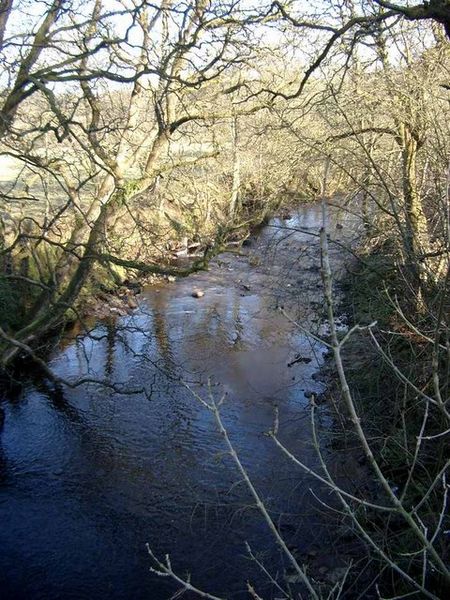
(395, 441)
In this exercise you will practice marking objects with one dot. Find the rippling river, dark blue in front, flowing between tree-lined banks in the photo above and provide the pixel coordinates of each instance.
(87, 477)
